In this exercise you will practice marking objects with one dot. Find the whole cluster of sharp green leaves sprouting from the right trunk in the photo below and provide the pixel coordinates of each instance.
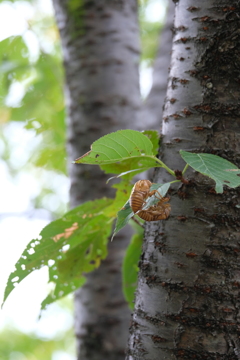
(77, 243)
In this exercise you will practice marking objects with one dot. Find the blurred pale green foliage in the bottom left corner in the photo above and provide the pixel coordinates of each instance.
(34, 345)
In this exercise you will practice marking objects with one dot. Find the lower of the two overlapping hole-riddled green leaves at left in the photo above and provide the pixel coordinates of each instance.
(81, 258)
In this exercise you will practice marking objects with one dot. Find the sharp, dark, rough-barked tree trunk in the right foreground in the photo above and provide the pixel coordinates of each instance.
(187, 304)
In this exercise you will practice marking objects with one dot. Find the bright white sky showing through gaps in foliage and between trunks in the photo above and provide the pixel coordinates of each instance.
(17, 227)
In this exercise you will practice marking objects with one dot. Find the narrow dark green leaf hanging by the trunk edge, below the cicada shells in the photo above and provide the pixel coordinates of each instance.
(130, 268)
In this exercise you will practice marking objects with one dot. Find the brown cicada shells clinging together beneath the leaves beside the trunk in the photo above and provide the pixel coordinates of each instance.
(140, 192)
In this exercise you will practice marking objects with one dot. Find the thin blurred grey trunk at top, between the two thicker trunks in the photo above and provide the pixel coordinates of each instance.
(151, 115)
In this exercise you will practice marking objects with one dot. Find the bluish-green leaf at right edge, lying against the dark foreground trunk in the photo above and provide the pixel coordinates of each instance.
(214, 167)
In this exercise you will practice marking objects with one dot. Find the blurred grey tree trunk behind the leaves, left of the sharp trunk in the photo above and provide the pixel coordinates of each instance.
(100, 42)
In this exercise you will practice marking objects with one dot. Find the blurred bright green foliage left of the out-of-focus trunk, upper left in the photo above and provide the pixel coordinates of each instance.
(32, 100)
